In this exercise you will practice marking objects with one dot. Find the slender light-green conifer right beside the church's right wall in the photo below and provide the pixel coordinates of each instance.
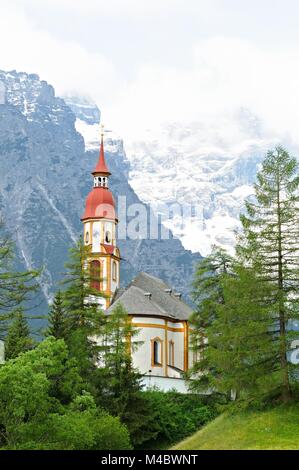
(207, 295)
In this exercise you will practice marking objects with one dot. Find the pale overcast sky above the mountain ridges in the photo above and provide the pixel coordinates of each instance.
(146, 63)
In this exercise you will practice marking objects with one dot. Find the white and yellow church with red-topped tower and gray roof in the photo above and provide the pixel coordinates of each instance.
(159, 313)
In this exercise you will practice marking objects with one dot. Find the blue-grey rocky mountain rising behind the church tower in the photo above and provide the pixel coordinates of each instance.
(44, 180)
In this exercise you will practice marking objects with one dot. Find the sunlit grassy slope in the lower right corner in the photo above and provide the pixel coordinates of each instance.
(274, 429)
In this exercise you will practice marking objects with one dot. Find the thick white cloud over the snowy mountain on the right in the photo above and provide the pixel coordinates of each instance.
(226, 74)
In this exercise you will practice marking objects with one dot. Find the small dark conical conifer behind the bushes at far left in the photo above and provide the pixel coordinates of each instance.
(18, 338)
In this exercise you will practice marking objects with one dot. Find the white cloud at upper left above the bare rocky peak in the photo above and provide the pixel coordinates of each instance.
(65, 64)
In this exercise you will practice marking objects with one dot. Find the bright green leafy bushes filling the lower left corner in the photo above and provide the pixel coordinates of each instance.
(42, 405)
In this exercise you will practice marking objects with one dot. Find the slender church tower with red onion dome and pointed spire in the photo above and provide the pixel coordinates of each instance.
(100, 221)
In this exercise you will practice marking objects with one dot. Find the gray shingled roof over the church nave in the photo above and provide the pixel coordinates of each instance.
(161, 303)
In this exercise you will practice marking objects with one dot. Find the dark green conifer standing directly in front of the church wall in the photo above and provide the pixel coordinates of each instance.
(119, 383)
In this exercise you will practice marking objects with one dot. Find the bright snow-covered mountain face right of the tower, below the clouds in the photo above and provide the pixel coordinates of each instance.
(202, 172)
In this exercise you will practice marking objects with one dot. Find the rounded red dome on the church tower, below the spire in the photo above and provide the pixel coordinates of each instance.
(99, 204)
